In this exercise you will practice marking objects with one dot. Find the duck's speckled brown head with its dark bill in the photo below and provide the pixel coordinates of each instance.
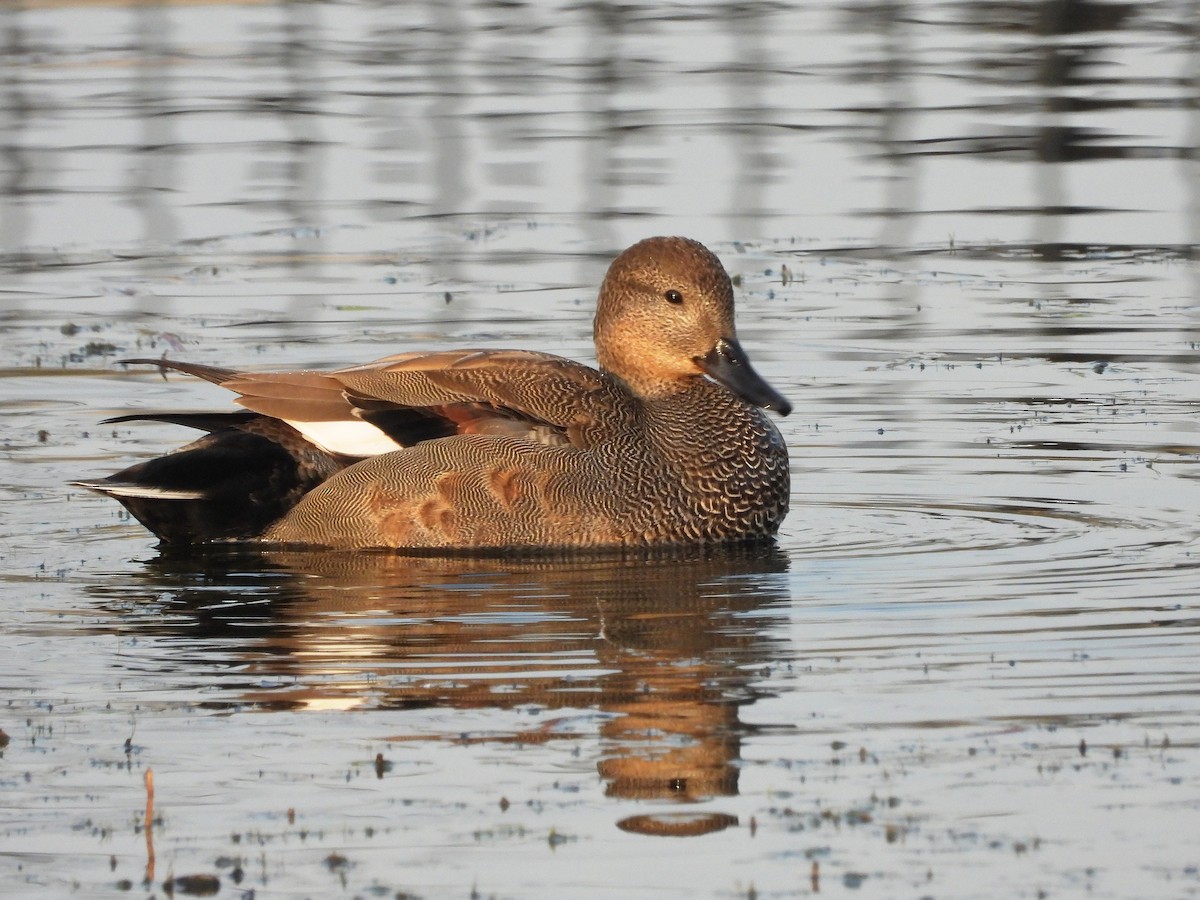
(665, 317)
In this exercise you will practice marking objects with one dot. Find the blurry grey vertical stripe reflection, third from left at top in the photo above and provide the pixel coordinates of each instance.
(301, 112)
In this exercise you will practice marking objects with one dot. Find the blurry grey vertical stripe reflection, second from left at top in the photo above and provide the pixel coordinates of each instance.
(154, 171)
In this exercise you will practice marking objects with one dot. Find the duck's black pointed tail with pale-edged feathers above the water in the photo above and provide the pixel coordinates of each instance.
(231, 485)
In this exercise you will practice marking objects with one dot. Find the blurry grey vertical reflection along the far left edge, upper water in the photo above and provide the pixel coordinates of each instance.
(15, 110)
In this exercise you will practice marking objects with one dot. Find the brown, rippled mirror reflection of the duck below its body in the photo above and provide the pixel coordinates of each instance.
(665, 647)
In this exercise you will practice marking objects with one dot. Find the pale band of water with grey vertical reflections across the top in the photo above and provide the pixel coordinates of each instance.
(747, 116)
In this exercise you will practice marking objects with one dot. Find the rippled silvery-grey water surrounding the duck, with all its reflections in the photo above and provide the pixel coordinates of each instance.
(965, 239)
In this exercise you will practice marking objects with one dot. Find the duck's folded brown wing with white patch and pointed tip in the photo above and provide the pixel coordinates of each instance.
(403, 400)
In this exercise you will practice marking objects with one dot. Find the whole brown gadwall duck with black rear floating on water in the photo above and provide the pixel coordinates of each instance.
(665, 445)
